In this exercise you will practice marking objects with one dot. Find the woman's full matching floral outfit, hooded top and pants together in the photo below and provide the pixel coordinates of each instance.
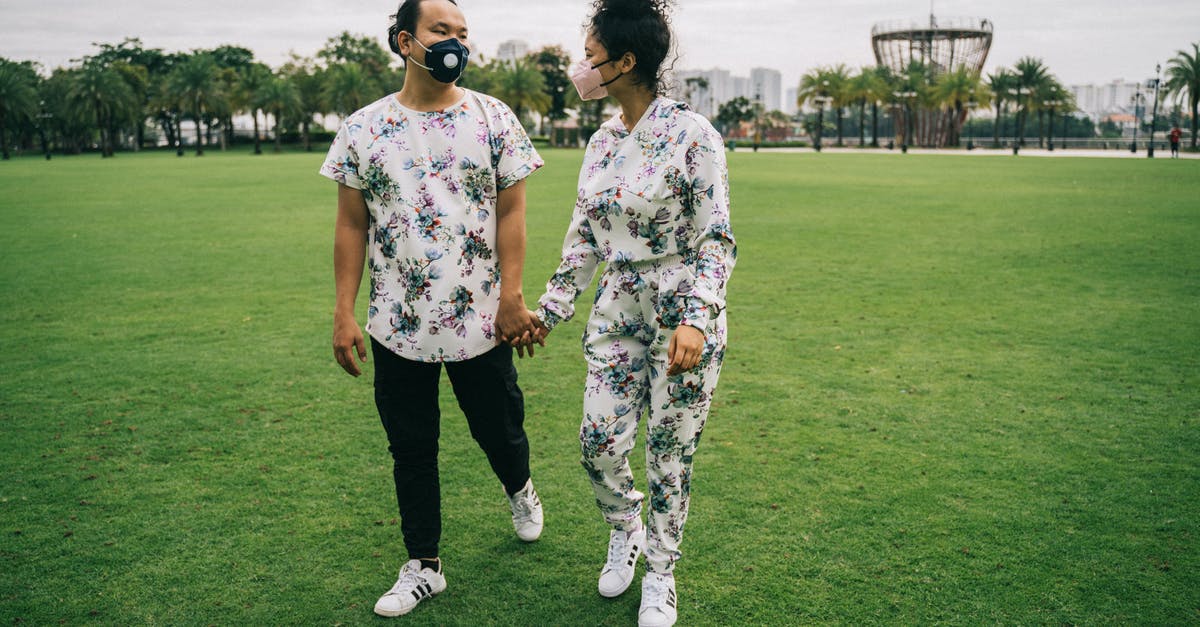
(653, 207)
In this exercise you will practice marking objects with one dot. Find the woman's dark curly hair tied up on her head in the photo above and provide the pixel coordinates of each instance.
(639, 27)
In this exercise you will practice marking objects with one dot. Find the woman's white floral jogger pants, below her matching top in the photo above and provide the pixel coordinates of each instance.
(626, 347)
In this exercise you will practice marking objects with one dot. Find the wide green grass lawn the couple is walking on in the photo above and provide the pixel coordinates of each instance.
(958, 391)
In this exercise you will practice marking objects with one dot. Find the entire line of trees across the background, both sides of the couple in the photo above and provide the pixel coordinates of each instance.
(124, 93)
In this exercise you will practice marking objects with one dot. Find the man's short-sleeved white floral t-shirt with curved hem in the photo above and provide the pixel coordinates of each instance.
(431, 183)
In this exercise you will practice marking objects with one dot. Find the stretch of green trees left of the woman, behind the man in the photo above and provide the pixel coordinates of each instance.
(127, 97)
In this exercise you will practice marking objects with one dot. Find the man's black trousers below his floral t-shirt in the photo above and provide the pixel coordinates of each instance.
(407, 399)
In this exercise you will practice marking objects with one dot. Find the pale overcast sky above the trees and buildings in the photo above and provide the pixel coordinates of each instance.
(1083, 41)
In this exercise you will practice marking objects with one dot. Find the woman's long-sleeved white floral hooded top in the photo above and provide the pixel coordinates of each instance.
(659, 194)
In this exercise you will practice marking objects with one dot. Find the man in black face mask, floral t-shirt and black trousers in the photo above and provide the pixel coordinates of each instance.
(431, 192)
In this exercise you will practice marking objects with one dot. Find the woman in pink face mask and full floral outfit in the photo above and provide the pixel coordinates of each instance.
(653, 205)
